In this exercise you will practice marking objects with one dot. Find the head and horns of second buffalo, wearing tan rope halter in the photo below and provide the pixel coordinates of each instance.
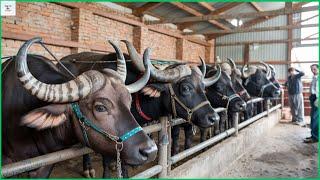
(182, 88)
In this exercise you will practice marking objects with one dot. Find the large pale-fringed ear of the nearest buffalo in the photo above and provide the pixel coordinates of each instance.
(45, 117)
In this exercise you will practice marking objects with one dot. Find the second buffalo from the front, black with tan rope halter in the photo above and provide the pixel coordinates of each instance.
(177, 90)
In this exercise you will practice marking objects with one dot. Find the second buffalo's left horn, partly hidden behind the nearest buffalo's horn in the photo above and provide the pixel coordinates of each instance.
(167, 75)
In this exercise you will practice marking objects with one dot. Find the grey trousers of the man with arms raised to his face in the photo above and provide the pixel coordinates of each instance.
(297, 107)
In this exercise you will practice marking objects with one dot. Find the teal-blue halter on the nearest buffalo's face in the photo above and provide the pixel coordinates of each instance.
(85, 123)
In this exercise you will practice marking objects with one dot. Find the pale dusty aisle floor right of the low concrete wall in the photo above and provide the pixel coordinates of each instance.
(280, 153)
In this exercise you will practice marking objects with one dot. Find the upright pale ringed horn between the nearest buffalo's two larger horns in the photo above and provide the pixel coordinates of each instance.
(121, 62)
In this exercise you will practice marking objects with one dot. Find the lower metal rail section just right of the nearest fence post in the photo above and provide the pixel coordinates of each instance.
(174, 159)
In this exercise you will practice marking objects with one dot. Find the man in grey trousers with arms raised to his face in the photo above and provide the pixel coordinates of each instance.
(296, 103)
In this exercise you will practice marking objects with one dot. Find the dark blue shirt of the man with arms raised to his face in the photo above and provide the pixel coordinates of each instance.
(294, 83)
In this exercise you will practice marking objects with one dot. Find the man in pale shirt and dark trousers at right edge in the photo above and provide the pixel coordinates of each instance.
(314, 90)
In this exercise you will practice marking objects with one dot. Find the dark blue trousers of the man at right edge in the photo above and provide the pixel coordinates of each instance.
(314, 115)
